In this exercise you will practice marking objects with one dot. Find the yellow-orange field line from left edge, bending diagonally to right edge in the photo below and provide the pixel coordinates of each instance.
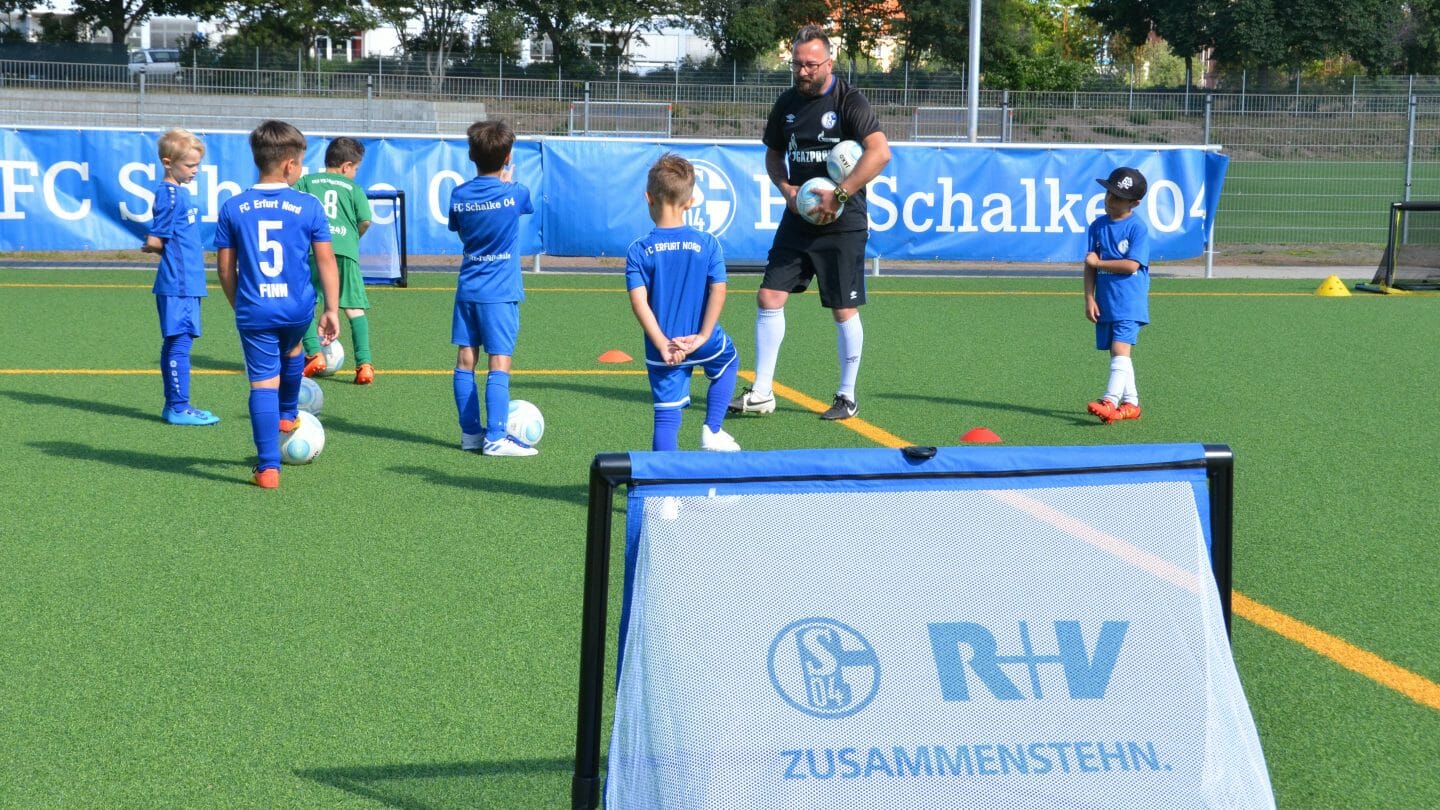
(1356, 659)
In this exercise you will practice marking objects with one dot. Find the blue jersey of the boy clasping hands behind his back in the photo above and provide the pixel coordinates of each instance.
(676, 266)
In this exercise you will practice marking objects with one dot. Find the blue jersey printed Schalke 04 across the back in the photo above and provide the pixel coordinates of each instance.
(486, 213)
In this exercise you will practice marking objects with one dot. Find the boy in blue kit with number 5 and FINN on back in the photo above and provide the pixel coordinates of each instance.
(264, 239)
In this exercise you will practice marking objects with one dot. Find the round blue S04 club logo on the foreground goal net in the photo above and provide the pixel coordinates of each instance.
(824, 668)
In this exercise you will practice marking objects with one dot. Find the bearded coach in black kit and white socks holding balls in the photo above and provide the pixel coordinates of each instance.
(807, 122)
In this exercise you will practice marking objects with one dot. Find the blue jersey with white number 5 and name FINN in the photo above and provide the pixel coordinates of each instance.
(271, 228)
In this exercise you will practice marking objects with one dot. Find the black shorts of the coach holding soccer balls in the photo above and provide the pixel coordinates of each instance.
(837, 260)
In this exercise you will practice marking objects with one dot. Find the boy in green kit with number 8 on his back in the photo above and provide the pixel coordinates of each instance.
(348, 208)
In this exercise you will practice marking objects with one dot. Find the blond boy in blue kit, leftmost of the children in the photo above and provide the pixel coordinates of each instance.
(181, 277)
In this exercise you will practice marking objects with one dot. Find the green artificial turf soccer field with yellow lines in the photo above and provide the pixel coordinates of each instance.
(400, 623)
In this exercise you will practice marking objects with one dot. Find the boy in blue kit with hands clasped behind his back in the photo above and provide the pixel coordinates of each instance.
(678, 285)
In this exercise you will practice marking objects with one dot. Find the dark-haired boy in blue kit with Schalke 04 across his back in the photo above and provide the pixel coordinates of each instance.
(486, 213)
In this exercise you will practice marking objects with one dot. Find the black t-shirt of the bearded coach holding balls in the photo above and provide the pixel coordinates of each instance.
(806, 128)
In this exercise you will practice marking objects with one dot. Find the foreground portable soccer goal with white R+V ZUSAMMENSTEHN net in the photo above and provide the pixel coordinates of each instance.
(918, 628)
